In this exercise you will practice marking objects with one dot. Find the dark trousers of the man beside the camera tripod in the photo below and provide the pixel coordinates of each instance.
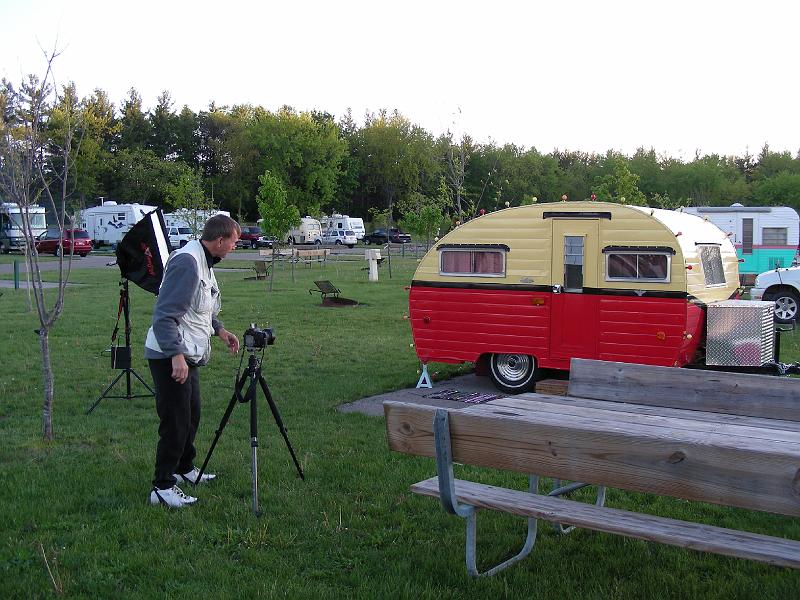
(178, 406)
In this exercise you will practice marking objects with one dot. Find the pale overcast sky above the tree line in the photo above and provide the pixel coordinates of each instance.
(677, 76)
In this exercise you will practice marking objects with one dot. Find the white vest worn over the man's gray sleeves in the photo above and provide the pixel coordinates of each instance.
(195, 325)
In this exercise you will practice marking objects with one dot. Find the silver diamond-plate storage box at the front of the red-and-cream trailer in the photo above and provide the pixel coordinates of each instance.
(740, 333)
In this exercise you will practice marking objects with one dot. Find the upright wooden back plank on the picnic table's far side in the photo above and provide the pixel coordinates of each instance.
(733, 393)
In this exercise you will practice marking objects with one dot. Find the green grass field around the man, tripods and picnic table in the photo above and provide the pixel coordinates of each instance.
(73, 514)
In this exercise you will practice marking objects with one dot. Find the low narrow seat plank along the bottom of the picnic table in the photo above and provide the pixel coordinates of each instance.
(695, 536)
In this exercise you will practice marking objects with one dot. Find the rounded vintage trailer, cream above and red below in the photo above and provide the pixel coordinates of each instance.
(529, 288)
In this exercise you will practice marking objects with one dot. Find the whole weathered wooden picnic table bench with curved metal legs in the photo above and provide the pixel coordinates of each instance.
(724, 438)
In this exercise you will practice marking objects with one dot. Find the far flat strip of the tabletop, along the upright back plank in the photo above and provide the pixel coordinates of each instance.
(793, 426)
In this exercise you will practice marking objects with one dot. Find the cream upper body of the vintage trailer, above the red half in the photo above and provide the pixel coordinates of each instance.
(524, 237)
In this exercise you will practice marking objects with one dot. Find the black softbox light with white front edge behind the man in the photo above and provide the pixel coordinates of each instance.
(143, 252)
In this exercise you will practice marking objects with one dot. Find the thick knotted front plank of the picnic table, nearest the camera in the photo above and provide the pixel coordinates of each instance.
(731, 470)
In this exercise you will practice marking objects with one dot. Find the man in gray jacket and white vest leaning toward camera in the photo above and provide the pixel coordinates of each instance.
(178, 342)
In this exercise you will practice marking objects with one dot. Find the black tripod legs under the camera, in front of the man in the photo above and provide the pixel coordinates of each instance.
(254, 377)
